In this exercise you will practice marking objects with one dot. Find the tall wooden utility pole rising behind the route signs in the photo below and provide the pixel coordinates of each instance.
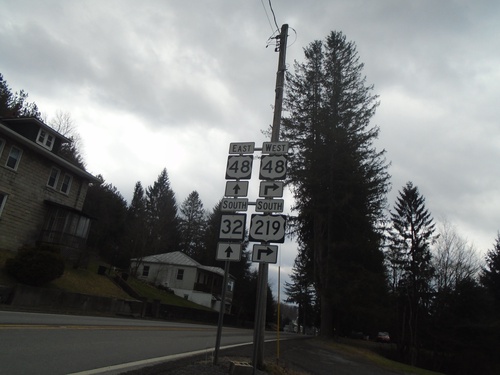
(260, 318)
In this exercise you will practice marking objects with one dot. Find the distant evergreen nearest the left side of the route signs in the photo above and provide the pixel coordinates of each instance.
(192, 225)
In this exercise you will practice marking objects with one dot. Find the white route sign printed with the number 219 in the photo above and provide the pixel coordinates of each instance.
(267, 228)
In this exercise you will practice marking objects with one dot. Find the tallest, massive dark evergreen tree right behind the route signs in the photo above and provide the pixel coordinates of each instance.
(339, 179)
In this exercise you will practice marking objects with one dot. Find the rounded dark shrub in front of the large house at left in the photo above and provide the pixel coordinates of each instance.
(36, 266)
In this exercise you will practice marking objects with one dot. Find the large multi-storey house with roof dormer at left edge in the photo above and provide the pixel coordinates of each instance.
(41, 194)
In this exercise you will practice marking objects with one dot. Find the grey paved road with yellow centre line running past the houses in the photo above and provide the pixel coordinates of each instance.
(32, 343)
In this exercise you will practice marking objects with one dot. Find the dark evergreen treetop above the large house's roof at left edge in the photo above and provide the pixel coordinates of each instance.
(15, 104)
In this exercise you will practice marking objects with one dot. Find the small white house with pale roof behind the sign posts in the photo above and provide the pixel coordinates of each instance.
(186, 278)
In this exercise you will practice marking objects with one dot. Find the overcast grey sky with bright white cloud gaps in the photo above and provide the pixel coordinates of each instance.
(170, 84)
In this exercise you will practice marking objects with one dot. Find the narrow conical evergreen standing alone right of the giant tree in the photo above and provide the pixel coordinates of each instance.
(411, 236)
